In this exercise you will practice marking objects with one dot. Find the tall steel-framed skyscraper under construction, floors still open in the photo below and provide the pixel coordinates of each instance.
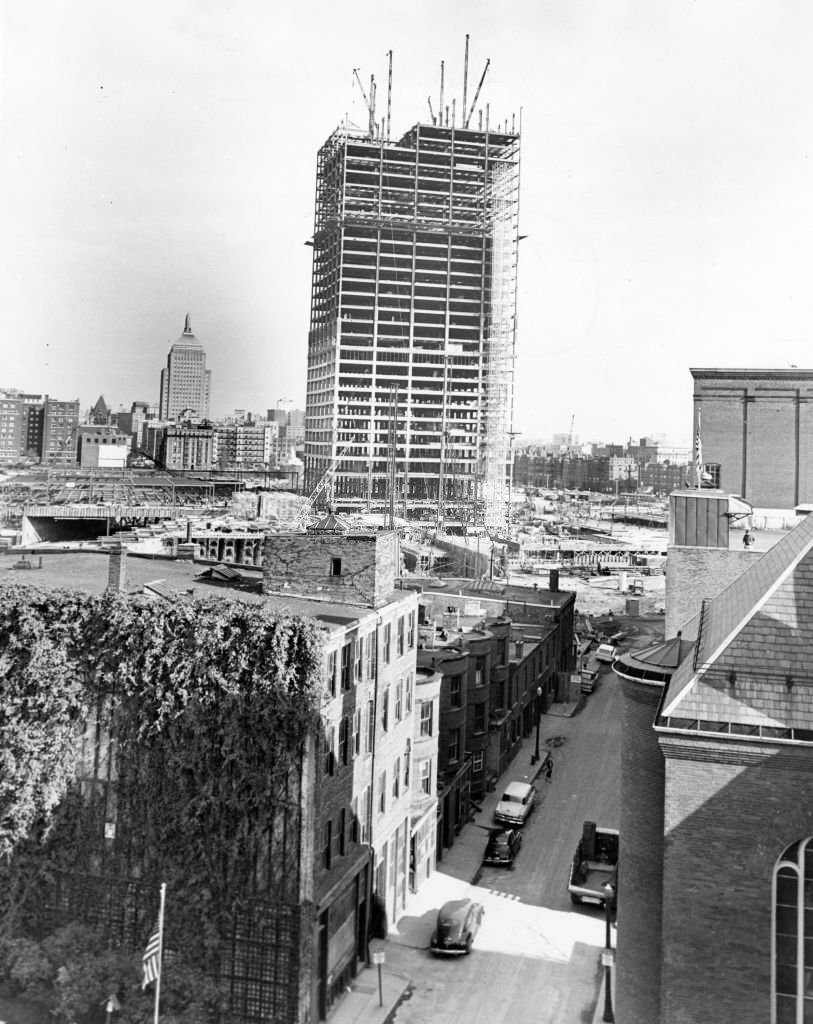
(413, 322)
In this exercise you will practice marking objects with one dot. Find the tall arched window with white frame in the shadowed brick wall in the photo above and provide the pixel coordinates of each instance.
(792, 967)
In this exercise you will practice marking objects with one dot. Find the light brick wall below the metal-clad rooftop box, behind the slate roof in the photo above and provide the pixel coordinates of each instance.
(694, 574)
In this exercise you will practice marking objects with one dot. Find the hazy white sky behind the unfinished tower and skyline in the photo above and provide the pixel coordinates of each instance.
(159, 156)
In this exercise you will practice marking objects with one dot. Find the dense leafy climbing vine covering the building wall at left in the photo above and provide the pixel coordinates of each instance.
(153, 742)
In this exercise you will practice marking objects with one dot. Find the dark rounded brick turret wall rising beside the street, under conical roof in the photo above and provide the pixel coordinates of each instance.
(640, 869)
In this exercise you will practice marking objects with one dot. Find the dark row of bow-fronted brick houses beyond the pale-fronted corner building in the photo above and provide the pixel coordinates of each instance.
(504, 656)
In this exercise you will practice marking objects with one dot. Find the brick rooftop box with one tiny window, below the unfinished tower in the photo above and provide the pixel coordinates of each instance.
(356, 570)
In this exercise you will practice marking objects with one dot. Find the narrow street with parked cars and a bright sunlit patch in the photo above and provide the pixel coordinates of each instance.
(537, 956)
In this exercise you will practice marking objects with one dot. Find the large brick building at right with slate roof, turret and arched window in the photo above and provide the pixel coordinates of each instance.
(718, 758)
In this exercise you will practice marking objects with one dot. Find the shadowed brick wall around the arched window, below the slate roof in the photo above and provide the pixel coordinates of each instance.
(731, 810)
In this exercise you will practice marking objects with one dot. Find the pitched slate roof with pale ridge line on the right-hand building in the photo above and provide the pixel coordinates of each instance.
(751, 667)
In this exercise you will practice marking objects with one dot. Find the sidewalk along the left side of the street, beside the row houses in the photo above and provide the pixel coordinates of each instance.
(364, 1004)
